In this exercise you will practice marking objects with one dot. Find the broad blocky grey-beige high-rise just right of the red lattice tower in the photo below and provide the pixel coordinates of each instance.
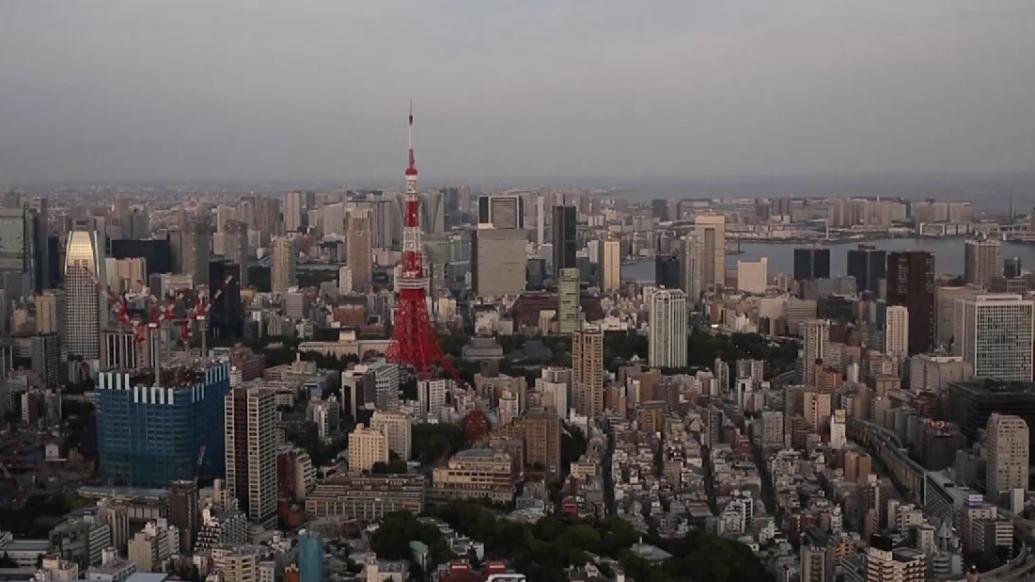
(499, 263)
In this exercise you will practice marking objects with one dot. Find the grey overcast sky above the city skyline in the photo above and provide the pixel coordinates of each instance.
(313, 90)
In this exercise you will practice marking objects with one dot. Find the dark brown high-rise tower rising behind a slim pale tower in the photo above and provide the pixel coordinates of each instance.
(911, 283)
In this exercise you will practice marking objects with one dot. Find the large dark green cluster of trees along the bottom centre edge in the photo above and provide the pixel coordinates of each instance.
(544, 549)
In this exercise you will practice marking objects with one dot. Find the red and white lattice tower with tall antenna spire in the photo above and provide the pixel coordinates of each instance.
(415, 342)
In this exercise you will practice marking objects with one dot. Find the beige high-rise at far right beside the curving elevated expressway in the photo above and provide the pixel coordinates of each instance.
(1007, 443)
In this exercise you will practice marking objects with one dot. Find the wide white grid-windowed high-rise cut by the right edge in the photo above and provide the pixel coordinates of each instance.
(995, 334)
